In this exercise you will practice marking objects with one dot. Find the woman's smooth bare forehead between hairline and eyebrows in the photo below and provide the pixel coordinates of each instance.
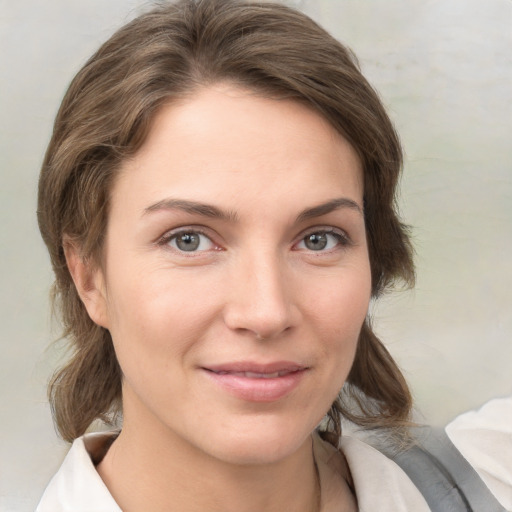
(233, 145)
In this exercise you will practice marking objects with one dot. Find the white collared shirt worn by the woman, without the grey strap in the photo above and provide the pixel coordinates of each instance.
(483, 437)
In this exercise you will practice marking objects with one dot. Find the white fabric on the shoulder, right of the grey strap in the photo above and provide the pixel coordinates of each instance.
(484, 437)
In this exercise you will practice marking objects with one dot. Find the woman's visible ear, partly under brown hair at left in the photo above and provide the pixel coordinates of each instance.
(89, 282)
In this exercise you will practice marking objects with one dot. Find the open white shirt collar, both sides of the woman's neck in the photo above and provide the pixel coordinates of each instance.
(379, 483)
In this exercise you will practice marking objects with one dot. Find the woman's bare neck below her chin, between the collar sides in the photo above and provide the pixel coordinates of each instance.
(157, 470)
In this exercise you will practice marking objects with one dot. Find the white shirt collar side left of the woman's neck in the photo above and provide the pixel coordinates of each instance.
(77, 486)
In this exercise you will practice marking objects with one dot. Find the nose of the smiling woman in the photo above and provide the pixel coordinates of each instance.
(261, 300)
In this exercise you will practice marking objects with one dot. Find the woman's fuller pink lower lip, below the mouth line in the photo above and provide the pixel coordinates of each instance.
(257, 390)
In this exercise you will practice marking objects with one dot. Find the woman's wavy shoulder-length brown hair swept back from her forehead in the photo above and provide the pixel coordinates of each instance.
(169, 53)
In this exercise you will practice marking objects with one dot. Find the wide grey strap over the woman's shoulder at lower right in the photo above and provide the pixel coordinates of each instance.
(444, 477)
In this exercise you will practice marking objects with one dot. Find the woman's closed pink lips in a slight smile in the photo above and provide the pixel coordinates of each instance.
(255, 382)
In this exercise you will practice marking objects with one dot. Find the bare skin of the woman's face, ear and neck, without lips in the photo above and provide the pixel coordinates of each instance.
(253, 291)
